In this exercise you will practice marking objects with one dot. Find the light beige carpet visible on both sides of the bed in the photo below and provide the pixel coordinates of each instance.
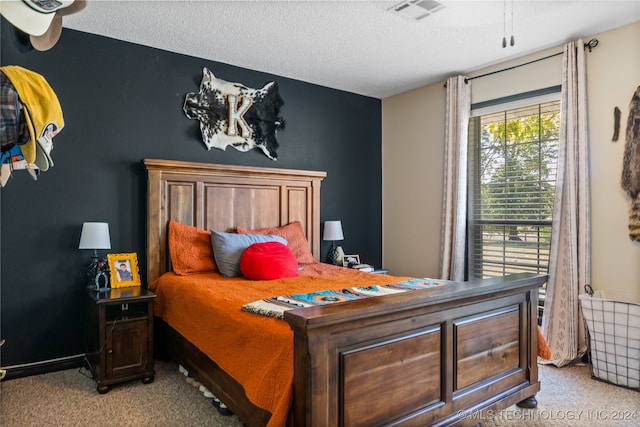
(569, 397)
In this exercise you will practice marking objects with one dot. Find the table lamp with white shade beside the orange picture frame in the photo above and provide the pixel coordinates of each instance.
(95, 235)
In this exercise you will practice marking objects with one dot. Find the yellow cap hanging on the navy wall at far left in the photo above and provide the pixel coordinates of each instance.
(42, 112)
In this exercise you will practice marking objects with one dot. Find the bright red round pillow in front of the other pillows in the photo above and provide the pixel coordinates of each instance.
(268, 261)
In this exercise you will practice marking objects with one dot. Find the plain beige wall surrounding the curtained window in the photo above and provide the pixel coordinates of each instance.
(413, 153)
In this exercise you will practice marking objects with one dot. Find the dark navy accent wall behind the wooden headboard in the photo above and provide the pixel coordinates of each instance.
(123, 102)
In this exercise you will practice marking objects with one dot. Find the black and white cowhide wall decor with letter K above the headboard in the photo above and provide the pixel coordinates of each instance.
(236, 115)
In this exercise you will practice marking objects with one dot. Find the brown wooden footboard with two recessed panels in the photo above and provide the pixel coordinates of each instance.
(439, 356)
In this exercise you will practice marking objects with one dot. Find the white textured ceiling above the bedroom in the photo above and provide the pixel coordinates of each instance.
(356, 46)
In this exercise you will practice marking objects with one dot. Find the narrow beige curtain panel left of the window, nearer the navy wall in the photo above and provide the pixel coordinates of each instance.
(455, 179)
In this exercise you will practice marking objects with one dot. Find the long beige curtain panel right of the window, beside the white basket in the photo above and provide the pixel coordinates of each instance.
(569, 264)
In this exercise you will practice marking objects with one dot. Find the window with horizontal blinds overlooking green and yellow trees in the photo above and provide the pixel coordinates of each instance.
(512, 173)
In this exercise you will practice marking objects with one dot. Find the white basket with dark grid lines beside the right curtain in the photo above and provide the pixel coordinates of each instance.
(613, 323)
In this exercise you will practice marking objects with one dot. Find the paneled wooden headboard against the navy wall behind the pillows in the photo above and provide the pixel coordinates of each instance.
(223, 197)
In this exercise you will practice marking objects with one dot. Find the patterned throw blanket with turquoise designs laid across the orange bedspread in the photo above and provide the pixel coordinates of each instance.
(276, 306)
